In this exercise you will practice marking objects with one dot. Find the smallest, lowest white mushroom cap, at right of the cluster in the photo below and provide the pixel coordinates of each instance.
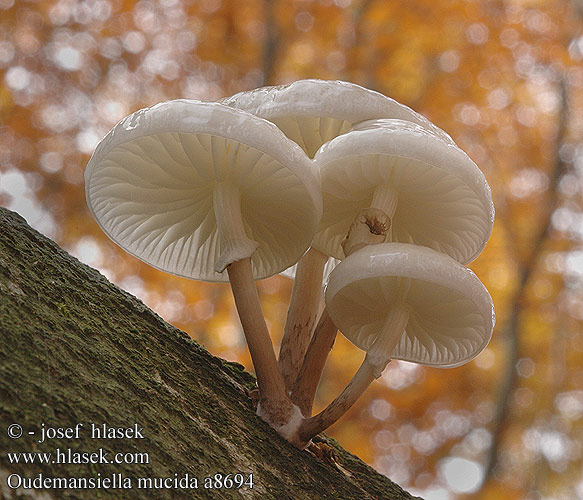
(451, 315)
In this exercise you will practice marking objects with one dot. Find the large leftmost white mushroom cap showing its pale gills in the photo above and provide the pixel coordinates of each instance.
(150, 181)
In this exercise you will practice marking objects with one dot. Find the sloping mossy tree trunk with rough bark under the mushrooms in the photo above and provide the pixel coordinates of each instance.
(76, 349)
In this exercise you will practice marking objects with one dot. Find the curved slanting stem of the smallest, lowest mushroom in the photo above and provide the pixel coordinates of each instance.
(375, 361)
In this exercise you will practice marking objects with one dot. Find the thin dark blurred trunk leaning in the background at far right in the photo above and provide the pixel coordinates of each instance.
(519, 300)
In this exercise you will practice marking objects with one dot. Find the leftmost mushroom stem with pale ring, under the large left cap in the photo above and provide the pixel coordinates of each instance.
(236, 249)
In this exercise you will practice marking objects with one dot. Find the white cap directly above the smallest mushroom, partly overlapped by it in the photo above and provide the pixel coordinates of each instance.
(444, 201)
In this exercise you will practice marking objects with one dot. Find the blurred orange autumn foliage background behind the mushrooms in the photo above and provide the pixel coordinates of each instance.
(503, 77)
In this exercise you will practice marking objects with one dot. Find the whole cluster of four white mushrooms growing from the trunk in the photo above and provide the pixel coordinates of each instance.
(346, 184)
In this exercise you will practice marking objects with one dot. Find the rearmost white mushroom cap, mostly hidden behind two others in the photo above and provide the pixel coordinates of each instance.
(312, 112)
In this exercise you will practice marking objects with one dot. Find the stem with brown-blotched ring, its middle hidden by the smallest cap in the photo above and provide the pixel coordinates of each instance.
(371, 226)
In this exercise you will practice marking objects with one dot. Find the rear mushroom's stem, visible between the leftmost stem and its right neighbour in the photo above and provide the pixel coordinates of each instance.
(303, 311)
